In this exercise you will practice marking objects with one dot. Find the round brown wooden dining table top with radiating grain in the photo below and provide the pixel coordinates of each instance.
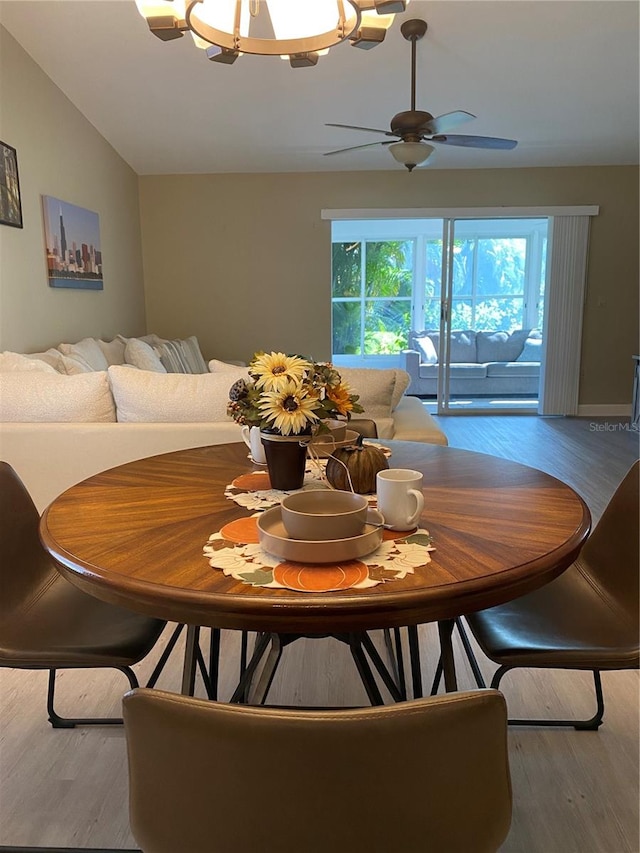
(134, 536)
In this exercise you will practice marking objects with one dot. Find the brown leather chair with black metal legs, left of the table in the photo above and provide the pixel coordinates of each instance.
(46, 622)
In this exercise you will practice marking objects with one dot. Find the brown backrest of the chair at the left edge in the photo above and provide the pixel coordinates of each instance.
(24, 564)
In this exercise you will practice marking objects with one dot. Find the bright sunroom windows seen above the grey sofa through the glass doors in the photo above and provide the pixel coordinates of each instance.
(387, 279)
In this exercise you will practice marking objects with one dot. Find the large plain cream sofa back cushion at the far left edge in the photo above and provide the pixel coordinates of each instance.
(54, 398)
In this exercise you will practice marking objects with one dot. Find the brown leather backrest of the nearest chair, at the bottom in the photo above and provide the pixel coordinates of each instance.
(426, 775)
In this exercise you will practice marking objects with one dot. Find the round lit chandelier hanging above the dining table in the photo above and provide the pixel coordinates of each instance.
(297, 30)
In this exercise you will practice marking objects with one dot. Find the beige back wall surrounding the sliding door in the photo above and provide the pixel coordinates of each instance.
(243, 261)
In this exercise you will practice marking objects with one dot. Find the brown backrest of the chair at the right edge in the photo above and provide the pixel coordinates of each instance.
(612, 552)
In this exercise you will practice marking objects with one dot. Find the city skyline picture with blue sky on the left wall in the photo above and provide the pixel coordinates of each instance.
(72, 239)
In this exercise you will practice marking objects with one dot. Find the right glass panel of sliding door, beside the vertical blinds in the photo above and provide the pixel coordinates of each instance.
(491, 313)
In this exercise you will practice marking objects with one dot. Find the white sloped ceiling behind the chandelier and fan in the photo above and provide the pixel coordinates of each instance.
(560, 76)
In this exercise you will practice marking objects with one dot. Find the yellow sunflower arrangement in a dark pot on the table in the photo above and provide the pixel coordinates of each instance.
(290, 399)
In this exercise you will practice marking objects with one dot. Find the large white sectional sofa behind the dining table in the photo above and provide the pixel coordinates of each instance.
(59, 428)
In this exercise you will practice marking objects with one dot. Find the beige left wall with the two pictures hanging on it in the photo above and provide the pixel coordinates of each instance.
(62, 155)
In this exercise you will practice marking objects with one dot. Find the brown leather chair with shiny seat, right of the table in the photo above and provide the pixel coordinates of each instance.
(586, 619)
